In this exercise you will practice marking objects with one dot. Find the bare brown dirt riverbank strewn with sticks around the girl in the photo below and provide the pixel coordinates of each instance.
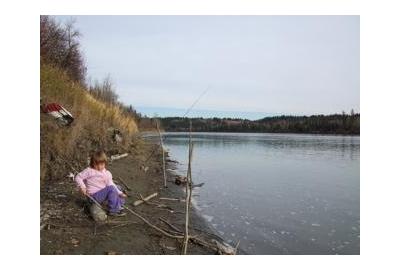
(66, 228)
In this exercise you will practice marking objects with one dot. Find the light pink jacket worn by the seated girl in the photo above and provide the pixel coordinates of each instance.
(94, 180)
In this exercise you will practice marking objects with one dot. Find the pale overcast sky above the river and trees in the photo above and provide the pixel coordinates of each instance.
(254, 65)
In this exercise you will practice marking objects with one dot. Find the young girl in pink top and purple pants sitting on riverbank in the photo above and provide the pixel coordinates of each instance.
(97, 182)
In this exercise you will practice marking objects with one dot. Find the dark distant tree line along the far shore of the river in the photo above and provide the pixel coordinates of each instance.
(315, 124)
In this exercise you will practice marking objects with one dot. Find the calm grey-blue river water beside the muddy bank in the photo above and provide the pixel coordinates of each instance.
(277, 193)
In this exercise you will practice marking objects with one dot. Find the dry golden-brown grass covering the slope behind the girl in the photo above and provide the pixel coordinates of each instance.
(62, 147)
